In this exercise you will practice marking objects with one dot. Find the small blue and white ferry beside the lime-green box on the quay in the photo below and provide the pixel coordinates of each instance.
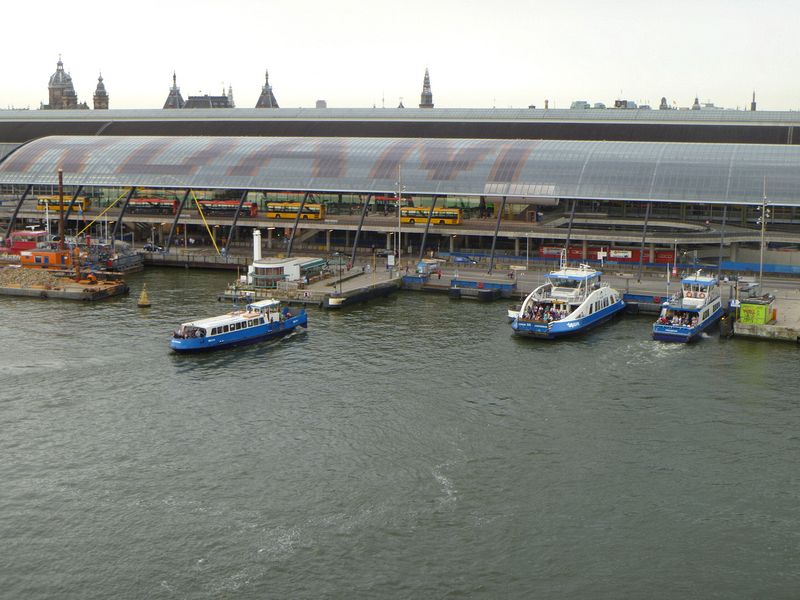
(692, 310)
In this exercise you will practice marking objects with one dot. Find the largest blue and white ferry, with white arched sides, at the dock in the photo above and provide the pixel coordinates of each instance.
(572, 301)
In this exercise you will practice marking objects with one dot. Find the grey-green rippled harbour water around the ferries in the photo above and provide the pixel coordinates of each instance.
(409, 448)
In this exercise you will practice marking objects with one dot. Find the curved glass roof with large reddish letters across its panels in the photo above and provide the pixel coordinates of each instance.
(633, 171)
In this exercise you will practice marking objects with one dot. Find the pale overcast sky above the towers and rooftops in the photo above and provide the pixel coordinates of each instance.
(359, 53)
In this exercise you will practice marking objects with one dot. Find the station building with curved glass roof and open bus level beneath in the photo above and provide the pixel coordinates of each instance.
(481, 196)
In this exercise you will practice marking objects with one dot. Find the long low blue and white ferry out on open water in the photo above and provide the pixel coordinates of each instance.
(258, 321)
